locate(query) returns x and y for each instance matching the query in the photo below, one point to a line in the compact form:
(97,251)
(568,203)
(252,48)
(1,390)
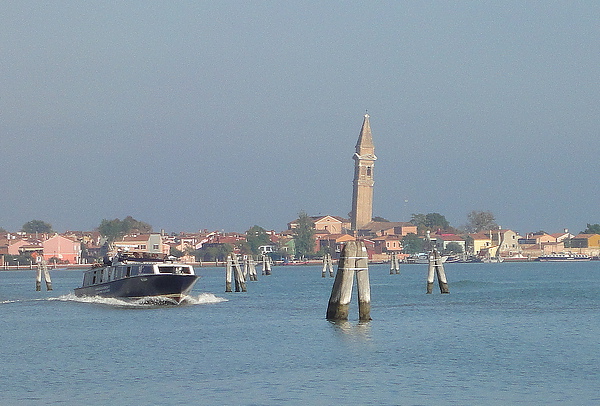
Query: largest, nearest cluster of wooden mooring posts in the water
(353,261)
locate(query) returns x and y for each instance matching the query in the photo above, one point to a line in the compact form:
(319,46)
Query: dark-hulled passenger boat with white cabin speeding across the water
(138,277)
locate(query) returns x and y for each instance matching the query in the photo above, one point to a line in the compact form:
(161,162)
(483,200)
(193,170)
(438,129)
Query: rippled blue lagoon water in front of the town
(506,334)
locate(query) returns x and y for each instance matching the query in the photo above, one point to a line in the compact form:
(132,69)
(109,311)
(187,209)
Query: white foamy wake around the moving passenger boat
(145,302)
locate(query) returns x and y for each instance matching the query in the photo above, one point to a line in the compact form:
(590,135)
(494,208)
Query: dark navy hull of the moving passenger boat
(167,285)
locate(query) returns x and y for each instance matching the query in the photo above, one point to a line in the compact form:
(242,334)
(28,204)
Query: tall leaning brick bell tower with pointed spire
(362,192)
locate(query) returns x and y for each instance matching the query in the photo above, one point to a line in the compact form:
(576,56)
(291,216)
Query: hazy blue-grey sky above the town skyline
(195,115)
